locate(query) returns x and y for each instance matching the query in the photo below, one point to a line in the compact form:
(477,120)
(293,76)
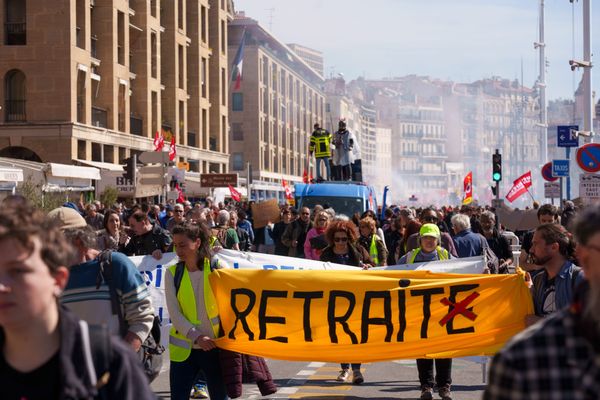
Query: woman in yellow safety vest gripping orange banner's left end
(193,310)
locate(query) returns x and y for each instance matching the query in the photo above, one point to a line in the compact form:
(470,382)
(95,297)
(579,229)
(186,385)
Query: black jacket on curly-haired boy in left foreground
(126,379)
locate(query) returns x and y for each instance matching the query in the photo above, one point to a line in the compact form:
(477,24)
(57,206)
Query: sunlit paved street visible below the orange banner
(385,380)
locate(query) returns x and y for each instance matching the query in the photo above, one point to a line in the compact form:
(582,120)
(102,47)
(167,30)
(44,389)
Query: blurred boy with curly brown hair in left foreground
(45,349)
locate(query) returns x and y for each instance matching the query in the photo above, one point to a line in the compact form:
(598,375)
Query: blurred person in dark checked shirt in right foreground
(558,358)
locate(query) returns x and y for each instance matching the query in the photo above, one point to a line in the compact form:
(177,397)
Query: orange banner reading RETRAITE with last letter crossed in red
(368,315)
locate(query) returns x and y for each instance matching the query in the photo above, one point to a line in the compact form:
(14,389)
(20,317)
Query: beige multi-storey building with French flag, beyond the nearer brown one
(273,111)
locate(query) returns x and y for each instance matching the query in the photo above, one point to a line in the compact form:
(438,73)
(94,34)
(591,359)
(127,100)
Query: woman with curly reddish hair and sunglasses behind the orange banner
(343,248)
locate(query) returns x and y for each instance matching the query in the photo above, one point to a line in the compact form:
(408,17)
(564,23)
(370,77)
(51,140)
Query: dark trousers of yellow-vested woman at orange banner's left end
(184,374)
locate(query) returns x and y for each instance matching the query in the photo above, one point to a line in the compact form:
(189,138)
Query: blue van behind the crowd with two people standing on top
(345,198)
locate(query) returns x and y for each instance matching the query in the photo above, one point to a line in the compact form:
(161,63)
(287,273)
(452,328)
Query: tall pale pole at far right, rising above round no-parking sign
(587,70)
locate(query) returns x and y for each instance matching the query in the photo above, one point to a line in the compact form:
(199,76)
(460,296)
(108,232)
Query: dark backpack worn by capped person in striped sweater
(151,352)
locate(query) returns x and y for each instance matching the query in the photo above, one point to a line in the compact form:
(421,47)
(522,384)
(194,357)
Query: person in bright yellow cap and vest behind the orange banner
(430,250)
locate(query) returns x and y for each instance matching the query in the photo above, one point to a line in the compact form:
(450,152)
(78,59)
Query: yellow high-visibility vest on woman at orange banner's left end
(180,347)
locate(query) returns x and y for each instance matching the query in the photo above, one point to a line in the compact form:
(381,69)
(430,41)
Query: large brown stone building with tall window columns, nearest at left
(91,81)
